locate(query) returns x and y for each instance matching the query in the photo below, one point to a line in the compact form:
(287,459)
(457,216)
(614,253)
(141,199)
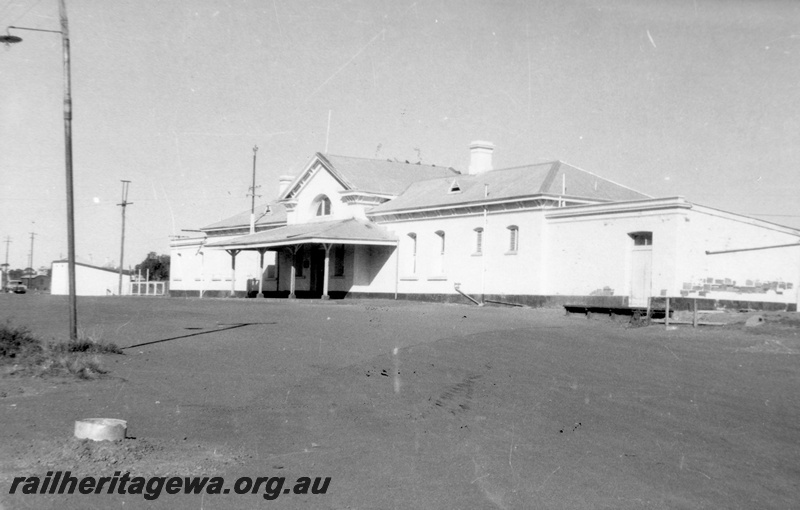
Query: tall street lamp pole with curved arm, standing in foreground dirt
(12,39)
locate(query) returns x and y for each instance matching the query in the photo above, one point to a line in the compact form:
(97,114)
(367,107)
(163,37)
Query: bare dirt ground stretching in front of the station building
(414,405)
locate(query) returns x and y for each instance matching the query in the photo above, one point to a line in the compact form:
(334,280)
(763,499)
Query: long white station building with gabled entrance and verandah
(541,235)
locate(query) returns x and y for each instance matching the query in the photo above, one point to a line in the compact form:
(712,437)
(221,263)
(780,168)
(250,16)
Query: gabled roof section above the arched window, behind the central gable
(378,176)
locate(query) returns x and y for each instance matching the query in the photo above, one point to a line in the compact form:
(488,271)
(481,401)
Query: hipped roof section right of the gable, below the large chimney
(510,183)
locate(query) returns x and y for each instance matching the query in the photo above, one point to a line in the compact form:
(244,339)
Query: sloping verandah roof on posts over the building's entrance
(349,231)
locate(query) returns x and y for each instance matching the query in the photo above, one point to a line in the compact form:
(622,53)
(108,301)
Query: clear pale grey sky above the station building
(697,98)
